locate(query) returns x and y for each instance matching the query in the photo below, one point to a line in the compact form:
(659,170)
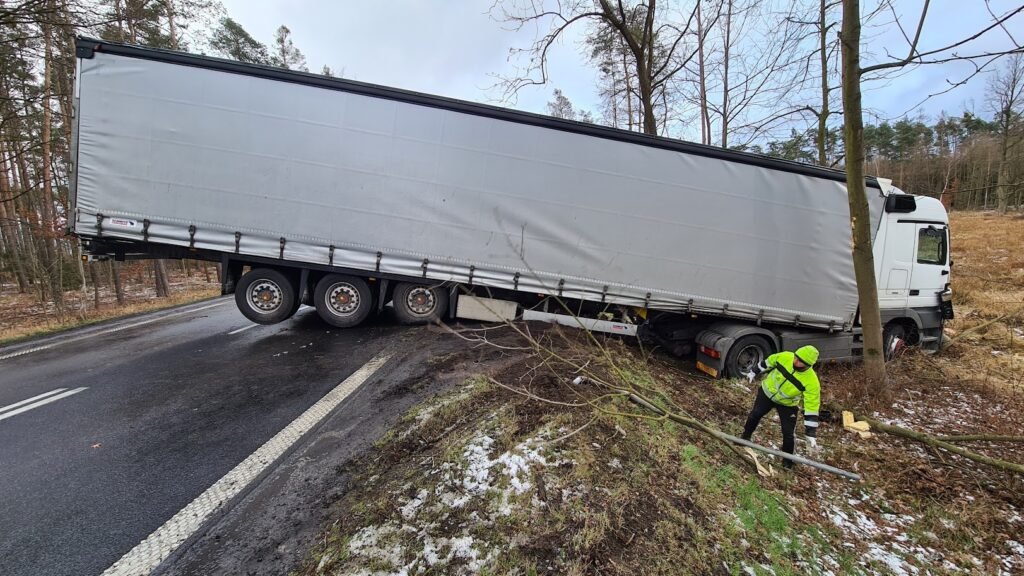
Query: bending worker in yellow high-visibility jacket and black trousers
(790,379)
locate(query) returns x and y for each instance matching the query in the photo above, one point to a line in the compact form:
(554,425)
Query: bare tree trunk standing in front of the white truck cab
(864,261)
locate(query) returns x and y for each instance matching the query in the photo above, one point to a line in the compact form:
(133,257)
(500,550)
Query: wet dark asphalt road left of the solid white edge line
(172,403)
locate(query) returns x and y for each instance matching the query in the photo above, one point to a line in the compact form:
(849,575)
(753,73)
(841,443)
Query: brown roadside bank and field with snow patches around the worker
(520,471)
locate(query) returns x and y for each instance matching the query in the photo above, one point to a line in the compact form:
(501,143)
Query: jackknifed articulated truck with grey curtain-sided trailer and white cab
(351,197)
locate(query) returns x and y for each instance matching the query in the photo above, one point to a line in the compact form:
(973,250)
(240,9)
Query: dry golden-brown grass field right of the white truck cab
(988,337)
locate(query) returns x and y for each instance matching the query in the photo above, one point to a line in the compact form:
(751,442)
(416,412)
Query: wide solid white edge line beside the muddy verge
(158,547)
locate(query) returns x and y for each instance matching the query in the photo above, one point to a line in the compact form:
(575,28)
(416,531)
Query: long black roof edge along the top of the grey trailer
(87,48)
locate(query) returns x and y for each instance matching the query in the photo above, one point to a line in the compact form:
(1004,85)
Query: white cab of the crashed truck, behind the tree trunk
(913,268)
